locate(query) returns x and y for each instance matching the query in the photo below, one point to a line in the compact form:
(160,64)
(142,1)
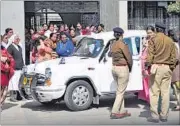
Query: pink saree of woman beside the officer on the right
(144,94)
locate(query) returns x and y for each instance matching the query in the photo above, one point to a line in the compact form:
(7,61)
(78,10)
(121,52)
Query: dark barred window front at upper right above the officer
(143,13)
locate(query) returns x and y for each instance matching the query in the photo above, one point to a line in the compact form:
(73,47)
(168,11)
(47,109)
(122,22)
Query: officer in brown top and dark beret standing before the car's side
(122,64)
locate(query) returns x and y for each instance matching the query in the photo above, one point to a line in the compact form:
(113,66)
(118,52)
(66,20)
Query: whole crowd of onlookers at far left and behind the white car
(49,42)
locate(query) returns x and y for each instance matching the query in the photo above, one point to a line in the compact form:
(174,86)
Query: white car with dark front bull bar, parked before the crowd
(83,77)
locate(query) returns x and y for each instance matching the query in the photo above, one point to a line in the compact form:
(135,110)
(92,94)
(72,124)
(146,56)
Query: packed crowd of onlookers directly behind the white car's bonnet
(51,42)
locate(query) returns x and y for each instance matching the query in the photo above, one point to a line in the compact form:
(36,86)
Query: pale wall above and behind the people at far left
(12,15)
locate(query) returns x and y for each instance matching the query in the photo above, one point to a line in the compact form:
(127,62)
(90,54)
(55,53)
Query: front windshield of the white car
(89,47)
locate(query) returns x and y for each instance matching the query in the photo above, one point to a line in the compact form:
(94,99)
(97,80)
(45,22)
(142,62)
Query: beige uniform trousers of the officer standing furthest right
(160,85)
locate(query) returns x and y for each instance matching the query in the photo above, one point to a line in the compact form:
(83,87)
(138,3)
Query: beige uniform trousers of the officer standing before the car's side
(121,76)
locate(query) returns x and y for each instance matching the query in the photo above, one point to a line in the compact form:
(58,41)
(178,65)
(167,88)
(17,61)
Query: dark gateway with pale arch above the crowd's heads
(69,12)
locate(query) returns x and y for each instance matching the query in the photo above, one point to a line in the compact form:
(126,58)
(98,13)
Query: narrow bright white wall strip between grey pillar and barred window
(123,14)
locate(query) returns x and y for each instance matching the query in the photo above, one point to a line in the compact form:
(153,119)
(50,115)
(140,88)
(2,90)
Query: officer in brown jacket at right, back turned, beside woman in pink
(161,59)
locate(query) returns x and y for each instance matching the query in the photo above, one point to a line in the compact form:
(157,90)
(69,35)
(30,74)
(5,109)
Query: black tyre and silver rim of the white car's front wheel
(79,95)
